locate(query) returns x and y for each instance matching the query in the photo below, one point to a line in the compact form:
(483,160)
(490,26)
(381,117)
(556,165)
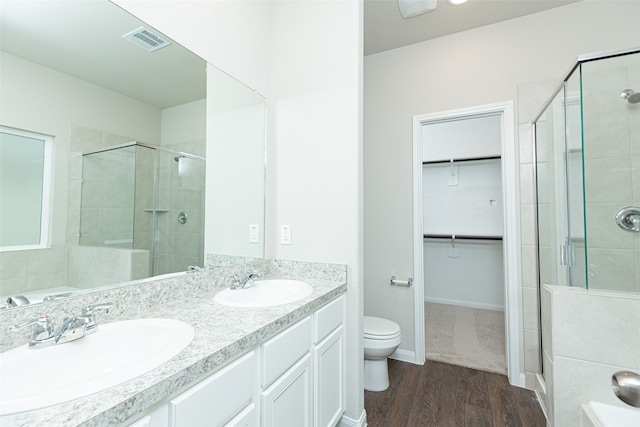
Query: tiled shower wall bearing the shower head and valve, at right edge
(612,171)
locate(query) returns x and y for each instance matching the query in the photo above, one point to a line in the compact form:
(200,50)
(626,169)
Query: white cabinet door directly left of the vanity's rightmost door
(287,403)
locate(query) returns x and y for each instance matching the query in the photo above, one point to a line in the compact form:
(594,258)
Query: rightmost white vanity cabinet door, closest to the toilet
(329,397)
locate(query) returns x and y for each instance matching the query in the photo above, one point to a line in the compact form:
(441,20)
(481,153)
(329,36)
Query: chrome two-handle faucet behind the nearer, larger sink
(72,328)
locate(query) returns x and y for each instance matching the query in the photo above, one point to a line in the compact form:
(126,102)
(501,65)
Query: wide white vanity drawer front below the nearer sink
(217,399)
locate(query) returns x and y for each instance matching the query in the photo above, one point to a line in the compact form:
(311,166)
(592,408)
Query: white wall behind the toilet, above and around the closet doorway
(475,67)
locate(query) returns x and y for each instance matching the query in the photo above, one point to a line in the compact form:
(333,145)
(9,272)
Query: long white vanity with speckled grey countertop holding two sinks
(271,366)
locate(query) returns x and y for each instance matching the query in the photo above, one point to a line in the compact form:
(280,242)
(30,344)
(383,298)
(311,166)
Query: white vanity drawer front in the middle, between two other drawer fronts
(284,350)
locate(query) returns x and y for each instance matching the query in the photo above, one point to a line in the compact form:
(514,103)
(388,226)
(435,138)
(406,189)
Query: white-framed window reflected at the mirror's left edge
(25,189)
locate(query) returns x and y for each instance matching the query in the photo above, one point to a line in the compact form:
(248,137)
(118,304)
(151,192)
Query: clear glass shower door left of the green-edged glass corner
(560,191)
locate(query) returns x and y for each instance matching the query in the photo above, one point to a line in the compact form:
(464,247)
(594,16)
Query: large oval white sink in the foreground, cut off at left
(117,352)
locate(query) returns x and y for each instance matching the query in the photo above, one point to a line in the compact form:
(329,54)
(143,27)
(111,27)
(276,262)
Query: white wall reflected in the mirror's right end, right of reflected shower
(235,153)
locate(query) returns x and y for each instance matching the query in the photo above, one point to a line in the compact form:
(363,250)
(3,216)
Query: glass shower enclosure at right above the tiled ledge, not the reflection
(587,143)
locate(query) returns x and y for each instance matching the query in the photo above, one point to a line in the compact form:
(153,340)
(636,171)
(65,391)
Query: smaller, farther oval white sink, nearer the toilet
(265,293)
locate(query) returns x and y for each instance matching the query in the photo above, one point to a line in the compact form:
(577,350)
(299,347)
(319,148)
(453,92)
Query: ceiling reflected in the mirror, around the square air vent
(84,39)
